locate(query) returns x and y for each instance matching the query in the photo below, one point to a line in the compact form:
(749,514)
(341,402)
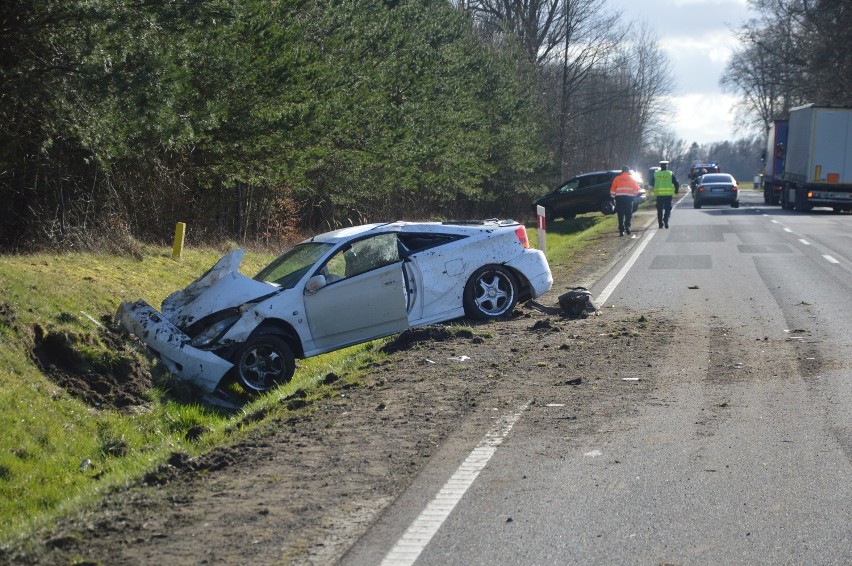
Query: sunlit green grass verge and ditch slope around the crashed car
(60,452)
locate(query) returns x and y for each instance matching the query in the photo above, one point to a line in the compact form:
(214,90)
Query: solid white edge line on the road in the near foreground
(411,544)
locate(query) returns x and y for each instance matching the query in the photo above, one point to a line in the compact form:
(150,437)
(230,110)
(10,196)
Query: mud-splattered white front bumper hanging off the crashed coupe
(204,369)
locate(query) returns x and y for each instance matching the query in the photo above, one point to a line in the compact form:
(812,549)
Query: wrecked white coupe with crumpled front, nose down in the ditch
(335,290)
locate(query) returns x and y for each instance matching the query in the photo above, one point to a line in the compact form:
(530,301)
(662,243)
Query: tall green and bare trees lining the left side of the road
(261,120)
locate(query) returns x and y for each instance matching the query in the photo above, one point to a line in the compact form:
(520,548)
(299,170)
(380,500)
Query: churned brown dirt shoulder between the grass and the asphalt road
(303,489)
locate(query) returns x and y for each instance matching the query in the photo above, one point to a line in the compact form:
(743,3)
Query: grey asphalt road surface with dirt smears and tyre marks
(742,454)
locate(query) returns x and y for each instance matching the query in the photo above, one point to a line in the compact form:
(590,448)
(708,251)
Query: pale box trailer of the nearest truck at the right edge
(817,168)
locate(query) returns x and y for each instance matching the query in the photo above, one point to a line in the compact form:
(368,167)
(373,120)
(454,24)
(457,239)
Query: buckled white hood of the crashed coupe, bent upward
(220,288)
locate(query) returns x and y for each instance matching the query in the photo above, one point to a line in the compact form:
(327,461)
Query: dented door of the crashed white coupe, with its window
(364,296)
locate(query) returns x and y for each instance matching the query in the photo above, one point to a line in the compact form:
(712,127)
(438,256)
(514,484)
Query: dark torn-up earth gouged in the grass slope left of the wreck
(77,363)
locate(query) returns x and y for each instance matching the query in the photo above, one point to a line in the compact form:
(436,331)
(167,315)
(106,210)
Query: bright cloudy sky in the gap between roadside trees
(697,37)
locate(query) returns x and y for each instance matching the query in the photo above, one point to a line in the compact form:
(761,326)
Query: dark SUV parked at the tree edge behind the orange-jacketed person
(588,192)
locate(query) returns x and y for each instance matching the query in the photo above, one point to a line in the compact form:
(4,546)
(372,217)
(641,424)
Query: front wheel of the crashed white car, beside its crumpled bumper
(264,362)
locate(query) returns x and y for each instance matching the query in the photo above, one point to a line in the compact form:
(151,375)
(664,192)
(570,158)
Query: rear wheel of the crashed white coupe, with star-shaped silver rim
(490,293)
